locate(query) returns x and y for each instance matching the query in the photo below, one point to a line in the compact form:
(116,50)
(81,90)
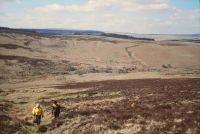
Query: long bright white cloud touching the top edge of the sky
(97,5)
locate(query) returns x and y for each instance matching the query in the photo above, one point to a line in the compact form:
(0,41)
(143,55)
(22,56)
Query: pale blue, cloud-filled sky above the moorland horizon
(132,16)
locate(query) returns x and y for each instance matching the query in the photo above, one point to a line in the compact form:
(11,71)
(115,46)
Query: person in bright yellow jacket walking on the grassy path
(37,113)
